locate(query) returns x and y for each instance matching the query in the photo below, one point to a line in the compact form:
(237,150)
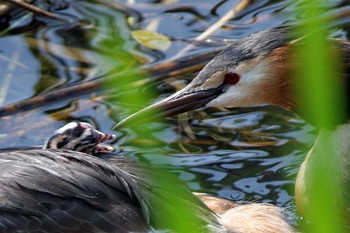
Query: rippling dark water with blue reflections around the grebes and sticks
(246,154)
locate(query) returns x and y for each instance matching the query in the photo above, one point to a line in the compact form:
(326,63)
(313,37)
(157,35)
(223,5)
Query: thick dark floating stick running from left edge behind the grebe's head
(157,72)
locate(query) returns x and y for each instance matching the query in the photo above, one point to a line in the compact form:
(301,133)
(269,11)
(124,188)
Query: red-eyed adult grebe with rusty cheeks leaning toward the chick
(259,70)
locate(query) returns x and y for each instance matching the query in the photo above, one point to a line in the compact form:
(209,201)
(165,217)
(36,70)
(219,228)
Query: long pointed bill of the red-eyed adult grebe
(180,102)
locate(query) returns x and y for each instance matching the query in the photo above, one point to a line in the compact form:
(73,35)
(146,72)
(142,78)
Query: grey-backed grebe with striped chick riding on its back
(60,189)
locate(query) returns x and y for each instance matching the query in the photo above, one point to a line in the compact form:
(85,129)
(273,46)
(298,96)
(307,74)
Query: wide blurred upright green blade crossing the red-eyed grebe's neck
(321,96)
